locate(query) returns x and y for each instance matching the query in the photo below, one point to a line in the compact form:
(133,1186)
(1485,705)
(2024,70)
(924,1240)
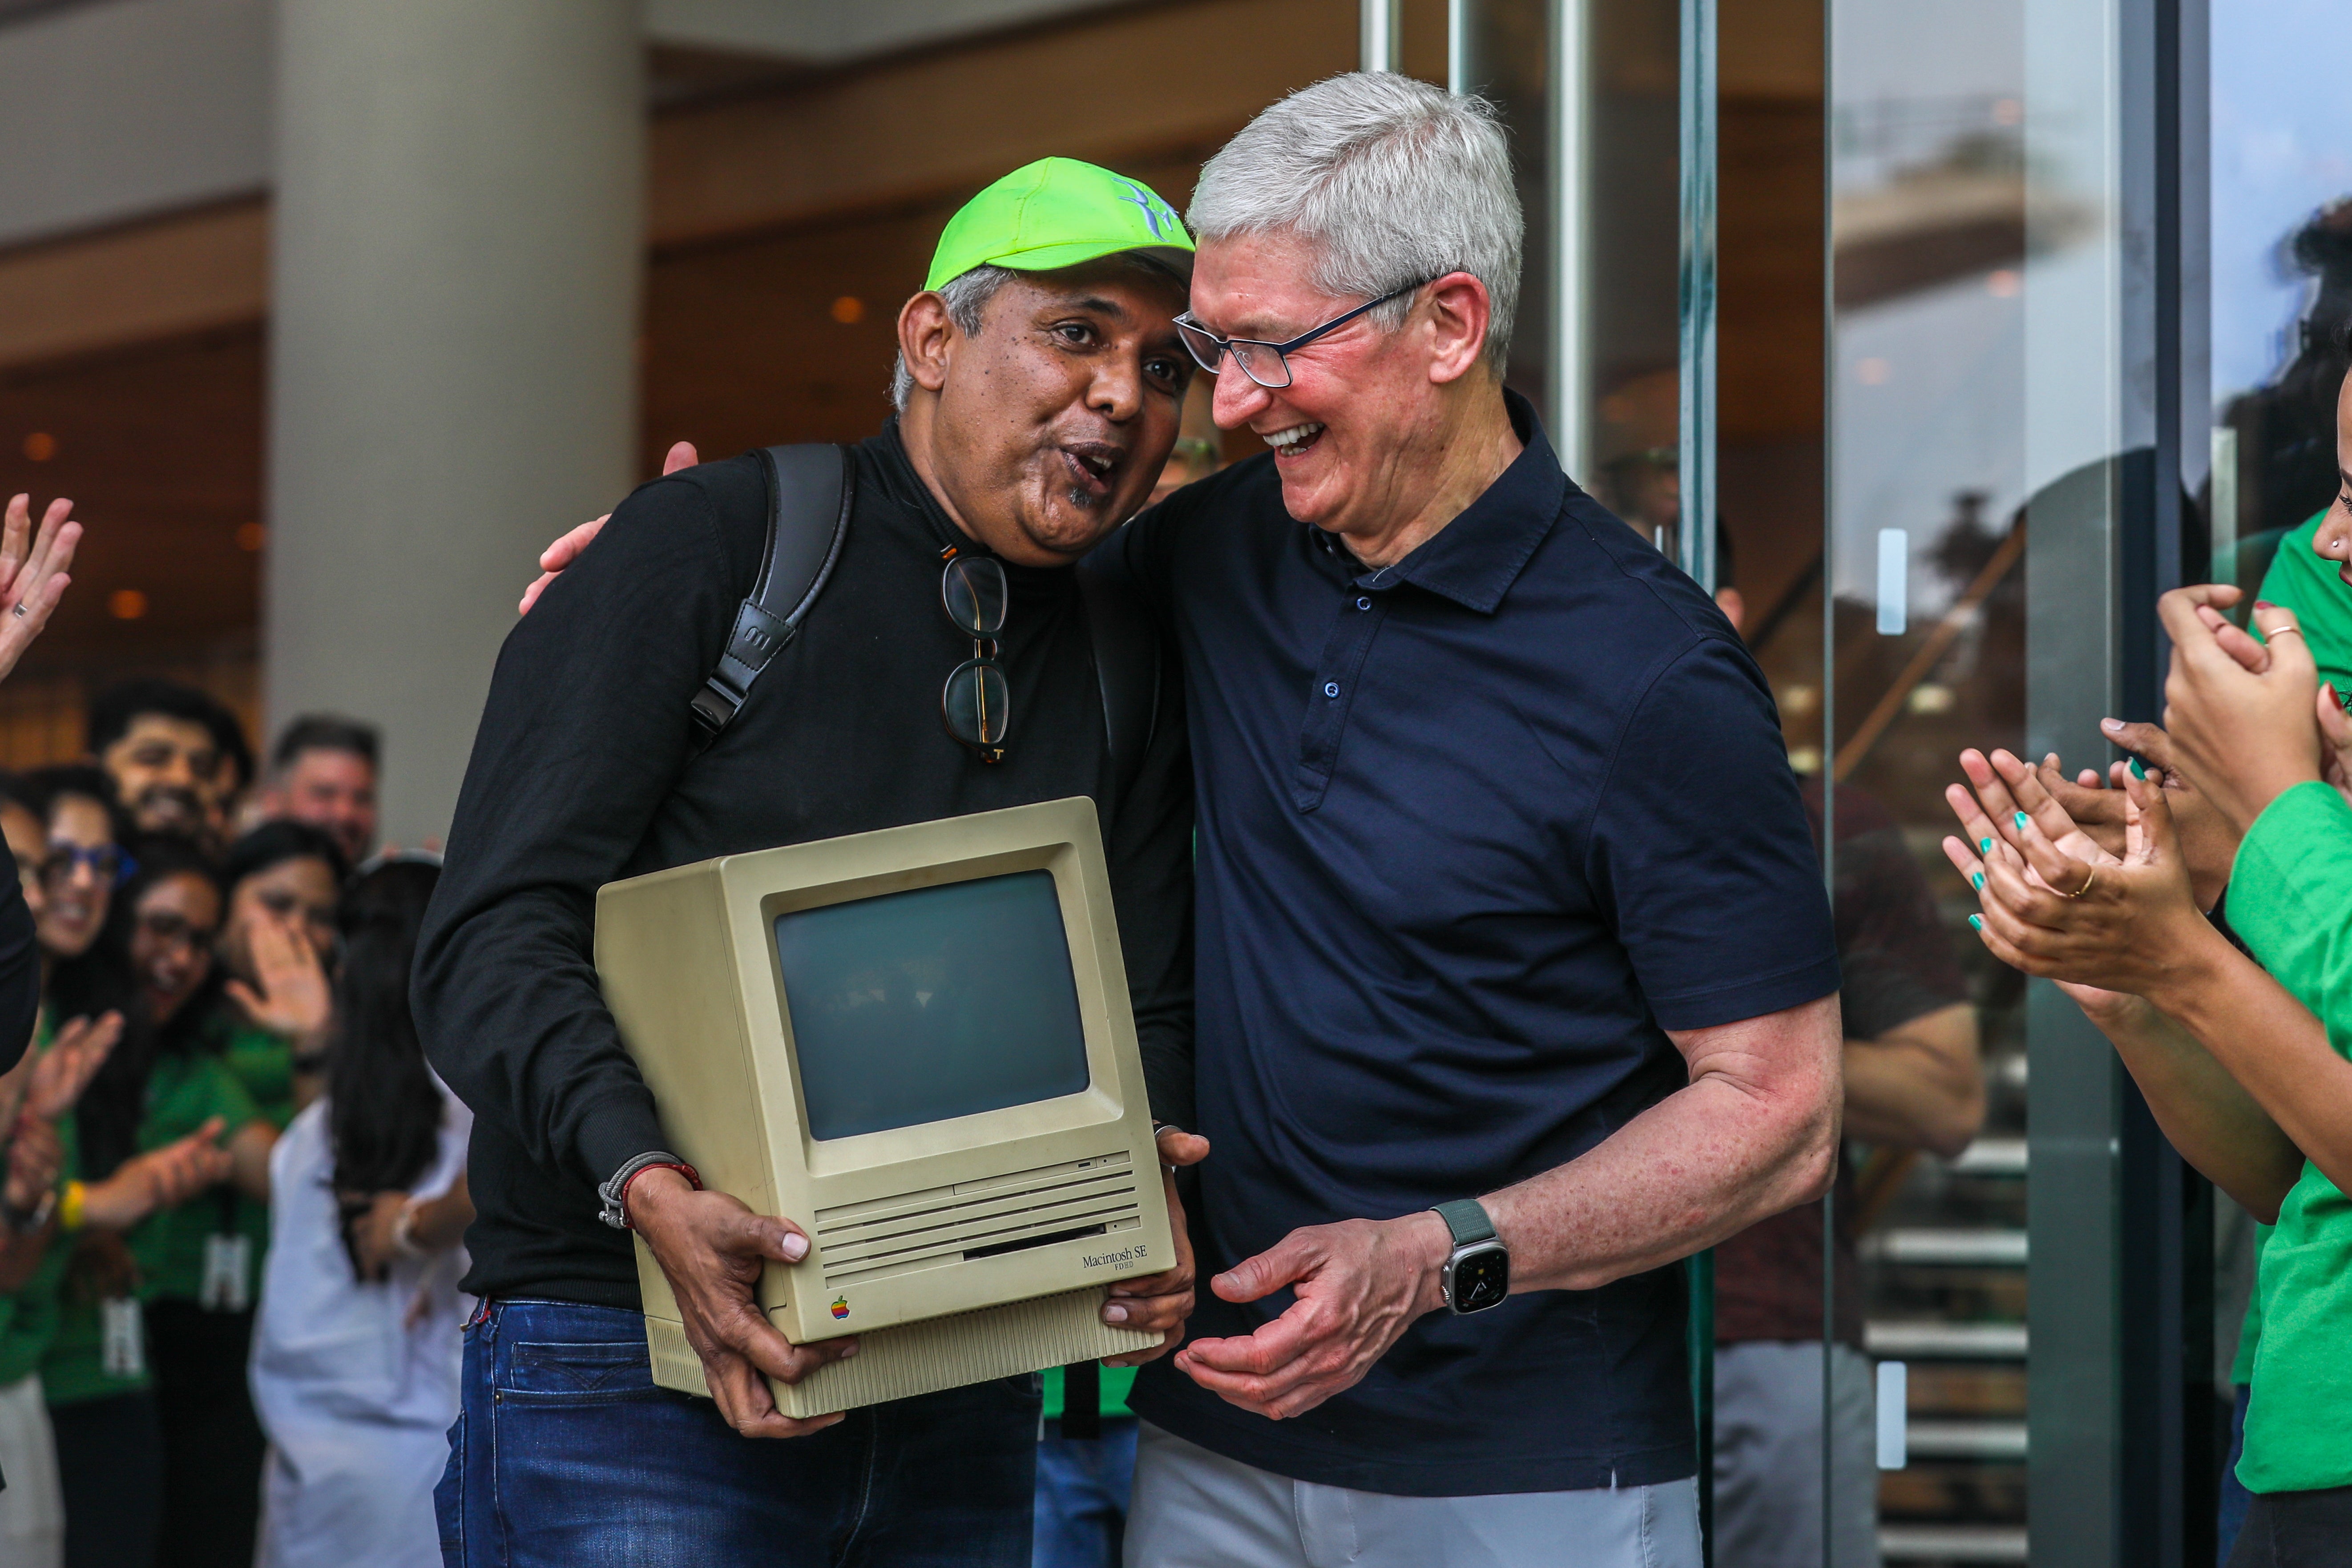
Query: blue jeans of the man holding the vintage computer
(566,1454)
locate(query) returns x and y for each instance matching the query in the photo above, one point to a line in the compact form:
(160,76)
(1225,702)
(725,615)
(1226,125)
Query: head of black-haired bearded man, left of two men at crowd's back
(175,753)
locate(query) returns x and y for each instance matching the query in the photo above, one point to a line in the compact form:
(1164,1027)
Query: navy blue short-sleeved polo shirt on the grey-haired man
(1476,831)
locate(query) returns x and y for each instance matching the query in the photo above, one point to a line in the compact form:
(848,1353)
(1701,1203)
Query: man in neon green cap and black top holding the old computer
(1038,391)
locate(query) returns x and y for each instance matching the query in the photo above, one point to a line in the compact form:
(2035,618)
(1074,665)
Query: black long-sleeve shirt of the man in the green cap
(582,775)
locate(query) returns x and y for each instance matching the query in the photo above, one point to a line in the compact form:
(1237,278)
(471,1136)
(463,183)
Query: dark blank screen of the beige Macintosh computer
(935,1003)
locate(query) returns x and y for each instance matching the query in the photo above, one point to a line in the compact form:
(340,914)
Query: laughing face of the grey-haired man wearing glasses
(1370,413)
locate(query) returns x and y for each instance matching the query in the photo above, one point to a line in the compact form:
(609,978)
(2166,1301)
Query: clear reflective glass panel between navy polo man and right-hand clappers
(1927,652)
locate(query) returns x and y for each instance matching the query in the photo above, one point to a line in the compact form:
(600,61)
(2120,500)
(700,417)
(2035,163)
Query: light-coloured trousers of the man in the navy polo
(1203,1510)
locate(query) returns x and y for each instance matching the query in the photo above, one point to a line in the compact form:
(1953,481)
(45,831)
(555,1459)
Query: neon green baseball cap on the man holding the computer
(1060,213)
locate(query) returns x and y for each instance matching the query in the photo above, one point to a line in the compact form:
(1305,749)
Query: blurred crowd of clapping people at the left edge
(234,1188)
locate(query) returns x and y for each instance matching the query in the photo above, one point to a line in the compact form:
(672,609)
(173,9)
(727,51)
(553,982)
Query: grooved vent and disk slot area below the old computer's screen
(940,1226)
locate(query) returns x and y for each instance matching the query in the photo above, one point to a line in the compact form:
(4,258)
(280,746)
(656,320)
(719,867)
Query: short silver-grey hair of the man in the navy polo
(1389,180)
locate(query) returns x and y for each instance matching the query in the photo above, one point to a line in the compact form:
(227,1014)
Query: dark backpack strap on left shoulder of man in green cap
(810,492)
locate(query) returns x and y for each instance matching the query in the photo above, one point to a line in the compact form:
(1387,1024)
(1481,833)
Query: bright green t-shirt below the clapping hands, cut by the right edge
(2292,904)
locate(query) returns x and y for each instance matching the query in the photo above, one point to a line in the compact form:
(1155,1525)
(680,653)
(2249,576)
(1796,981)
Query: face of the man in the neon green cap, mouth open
(1045,431)
